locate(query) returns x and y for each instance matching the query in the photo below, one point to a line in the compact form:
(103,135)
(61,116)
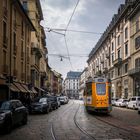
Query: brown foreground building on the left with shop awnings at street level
(15,40)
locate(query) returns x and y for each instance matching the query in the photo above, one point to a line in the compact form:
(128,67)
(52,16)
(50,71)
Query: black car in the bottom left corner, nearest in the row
(12,112)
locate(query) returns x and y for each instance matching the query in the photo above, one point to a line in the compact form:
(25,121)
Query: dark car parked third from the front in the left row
(53,101)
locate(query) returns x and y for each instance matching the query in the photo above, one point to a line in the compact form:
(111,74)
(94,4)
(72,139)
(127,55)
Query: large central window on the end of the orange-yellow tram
(101,89)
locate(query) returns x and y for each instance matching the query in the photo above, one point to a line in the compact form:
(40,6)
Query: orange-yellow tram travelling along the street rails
(97,95)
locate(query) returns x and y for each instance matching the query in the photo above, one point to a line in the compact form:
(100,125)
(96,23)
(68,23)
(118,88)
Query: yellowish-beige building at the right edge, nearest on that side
(134,70)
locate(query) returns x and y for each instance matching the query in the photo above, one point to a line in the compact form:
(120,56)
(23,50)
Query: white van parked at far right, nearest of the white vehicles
(134,102)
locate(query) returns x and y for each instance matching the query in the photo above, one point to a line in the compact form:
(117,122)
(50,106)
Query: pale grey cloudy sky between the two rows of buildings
(90,15)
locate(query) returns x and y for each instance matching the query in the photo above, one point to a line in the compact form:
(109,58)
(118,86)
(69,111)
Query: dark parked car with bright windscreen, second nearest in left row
(41,105)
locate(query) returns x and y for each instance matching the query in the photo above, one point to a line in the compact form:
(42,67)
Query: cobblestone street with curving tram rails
(72,122)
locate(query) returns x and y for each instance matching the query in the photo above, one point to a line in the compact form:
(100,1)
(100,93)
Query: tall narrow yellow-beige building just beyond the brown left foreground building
(38,45)
